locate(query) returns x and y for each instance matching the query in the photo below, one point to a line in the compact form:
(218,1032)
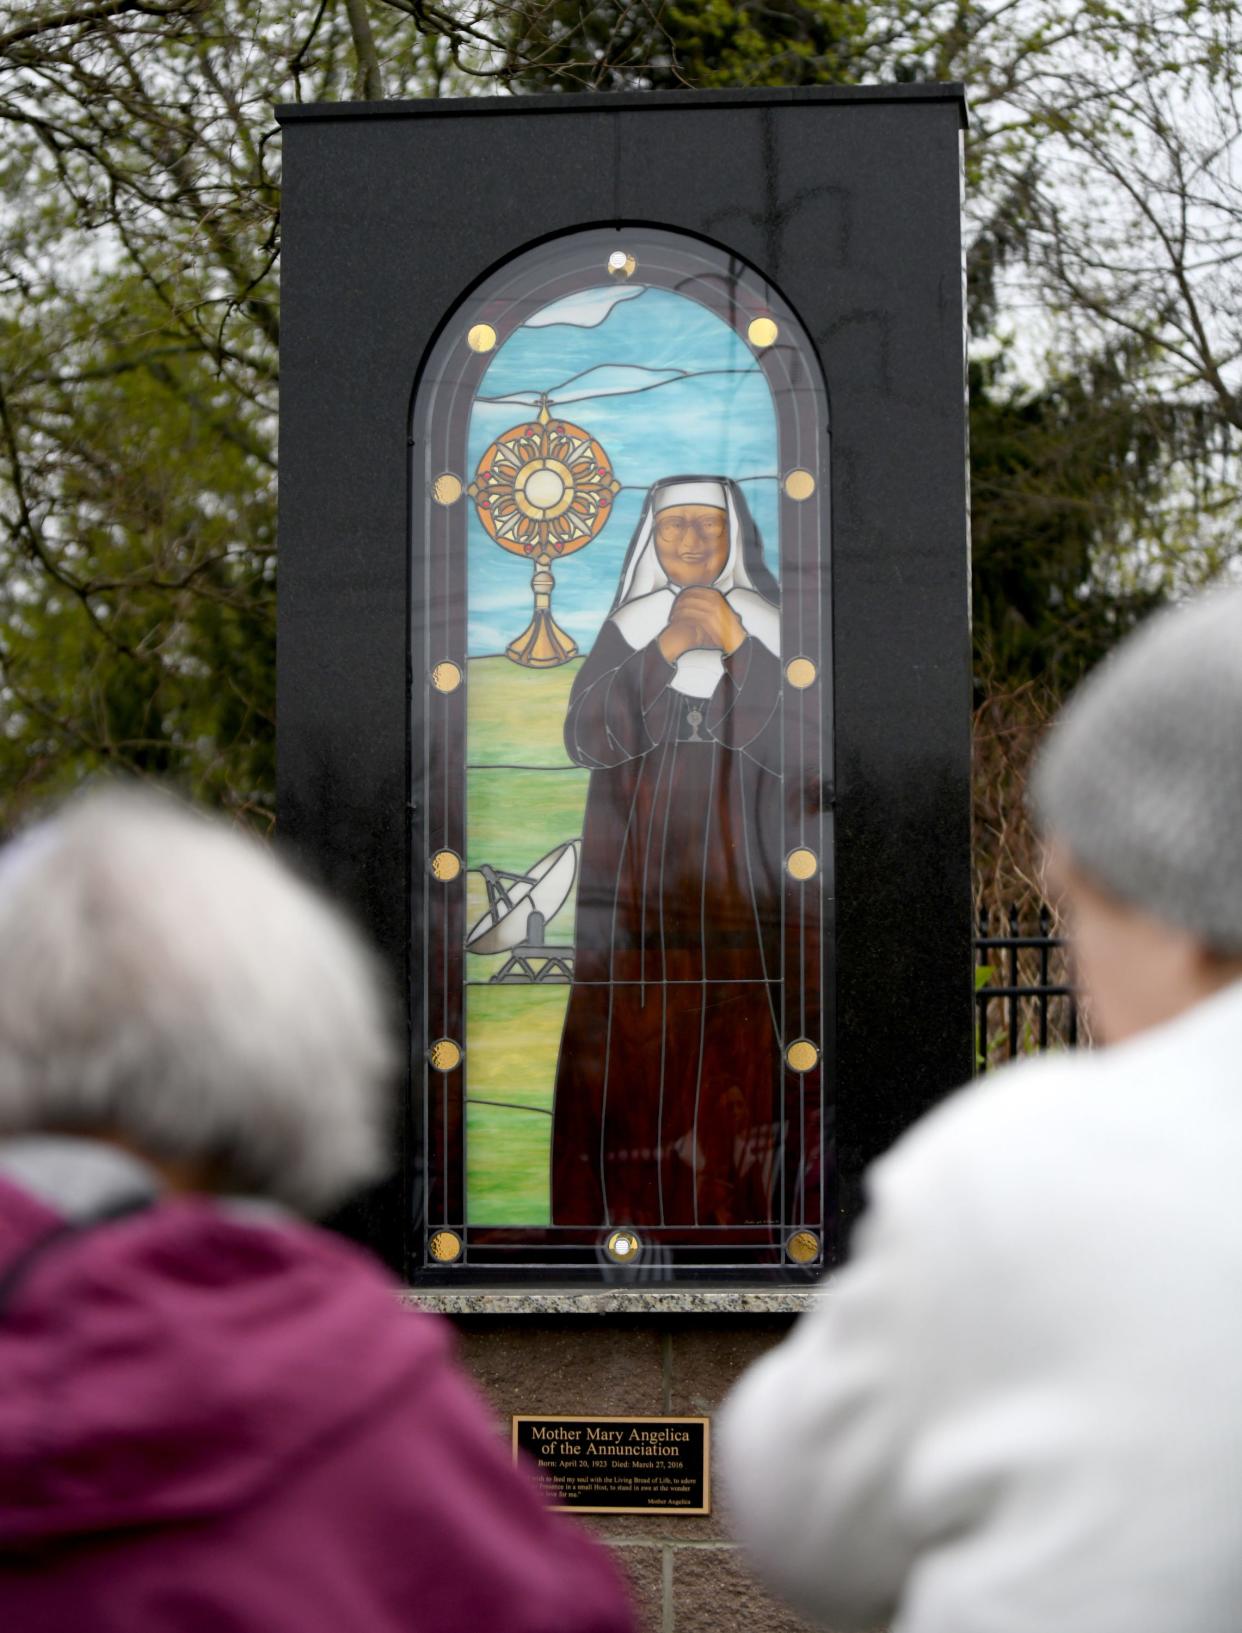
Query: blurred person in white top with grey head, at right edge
(1018,1408)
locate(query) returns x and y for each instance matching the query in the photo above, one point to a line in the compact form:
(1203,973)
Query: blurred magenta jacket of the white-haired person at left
(216,1423)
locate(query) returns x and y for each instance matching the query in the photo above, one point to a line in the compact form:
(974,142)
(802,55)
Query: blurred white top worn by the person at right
(1019,1408)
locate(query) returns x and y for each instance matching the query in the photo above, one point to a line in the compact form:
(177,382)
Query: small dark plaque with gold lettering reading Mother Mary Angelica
(621,1466)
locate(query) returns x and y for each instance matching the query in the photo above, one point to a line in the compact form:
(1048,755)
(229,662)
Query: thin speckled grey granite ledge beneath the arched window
(614,1301)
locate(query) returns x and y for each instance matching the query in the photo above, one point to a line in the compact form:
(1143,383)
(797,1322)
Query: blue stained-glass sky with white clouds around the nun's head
(707,411)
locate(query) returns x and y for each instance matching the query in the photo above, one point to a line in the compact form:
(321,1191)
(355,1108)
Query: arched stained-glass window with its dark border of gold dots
(623,741)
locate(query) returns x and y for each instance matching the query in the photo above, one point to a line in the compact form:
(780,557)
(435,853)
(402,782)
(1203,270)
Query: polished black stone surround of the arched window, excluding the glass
(849,203)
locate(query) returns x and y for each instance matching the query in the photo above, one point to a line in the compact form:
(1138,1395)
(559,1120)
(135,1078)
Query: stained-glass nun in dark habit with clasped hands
(670,1066)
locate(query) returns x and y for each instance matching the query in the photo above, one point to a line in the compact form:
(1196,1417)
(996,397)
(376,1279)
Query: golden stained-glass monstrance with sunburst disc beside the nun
(544,489)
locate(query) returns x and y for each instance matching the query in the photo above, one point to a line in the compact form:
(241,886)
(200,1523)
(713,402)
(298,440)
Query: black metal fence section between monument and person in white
(1022,997)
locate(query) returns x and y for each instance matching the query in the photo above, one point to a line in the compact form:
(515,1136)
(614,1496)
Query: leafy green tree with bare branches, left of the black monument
(140,336)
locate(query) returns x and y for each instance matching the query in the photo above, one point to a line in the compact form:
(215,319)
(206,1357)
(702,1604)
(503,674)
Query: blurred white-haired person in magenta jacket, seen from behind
(211,1413)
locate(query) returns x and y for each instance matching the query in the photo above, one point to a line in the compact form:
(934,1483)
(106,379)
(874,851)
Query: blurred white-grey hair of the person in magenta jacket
(166,984)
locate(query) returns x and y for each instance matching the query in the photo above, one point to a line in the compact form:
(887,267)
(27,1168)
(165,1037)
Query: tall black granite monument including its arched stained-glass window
(624,656)
